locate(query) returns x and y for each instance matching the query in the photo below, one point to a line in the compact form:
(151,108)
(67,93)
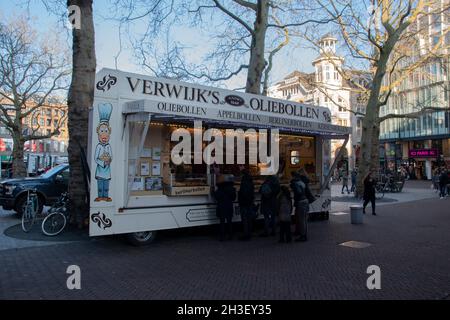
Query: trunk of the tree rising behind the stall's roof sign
(257,60)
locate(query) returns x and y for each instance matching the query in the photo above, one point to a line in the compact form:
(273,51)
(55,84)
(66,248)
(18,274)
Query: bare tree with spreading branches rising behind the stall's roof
(244,36)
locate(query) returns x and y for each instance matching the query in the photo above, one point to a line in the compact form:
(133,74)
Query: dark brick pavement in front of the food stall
(410,244)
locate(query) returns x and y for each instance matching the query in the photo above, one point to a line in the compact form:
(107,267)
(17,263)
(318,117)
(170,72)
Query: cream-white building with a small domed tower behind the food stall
(334,87)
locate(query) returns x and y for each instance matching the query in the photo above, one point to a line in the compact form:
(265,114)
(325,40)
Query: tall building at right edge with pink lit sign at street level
(422,143)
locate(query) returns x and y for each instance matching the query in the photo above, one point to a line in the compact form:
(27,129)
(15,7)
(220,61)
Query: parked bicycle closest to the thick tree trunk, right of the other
(56,219)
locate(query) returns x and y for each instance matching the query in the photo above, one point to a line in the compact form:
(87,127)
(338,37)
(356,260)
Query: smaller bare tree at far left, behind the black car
(32,72)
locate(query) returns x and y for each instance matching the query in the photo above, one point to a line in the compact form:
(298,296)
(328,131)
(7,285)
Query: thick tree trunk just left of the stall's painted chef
(80,100)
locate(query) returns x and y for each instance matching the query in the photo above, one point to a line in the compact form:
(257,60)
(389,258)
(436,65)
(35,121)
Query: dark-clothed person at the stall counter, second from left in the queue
(246,198)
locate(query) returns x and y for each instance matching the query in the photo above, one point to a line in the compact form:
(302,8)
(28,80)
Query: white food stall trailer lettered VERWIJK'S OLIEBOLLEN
(136,122)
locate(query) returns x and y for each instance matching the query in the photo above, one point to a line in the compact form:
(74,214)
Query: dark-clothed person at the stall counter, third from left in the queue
(269,191)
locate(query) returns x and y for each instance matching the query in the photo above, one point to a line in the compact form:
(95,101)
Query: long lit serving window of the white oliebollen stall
(151,171)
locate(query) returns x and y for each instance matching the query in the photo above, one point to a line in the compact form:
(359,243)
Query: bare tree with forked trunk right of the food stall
(386,36)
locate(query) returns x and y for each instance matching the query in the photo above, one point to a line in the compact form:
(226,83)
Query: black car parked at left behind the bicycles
(49,186)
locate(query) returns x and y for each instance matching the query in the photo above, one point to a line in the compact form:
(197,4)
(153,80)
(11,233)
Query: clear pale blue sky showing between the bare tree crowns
(107,41)
